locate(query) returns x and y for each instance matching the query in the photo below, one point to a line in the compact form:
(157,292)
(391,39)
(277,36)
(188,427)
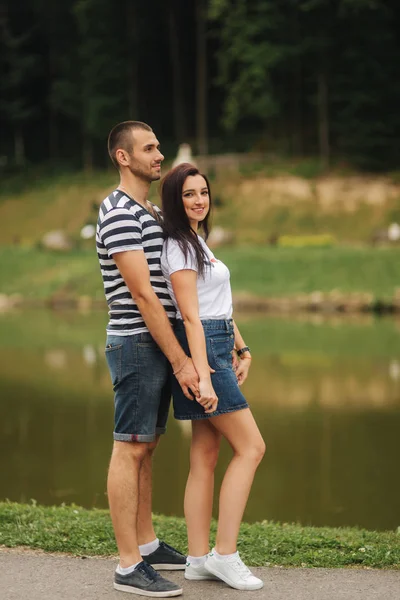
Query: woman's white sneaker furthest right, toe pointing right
(234,572)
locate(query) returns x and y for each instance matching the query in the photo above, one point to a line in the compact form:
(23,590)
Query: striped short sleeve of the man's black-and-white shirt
(121,231)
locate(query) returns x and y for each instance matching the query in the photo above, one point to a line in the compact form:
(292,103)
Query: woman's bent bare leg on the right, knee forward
(242,433)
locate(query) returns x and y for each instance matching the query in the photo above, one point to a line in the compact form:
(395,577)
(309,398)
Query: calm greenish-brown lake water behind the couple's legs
(325,393)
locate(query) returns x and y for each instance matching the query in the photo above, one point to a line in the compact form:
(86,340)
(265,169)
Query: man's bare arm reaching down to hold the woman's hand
(135,271)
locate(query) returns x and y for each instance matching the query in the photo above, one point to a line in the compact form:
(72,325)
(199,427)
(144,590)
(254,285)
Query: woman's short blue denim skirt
(219,335)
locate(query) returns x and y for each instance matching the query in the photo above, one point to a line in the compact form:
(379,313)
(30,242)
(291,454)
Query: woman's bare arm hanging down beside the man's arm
(184,284)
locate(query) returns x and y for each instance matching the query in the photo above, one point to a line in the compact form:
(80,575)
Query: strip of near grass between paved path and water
(89,532)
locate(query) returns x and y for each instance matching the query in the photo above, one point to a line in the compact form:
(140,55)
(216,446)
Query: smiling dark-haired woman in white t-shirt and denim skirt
(200,289)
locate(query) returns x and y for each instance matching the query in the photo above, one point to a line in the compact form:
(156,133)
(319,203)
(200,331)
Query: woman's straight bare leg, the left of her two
(200,485)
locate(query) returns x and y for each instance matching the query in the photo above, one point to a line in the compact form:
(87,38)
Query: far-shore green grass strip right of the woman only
(290,271)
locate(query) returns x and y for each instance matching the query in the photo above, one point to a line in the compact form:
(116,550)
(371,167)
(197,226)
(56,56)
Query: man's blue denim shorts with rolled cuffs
(141,377)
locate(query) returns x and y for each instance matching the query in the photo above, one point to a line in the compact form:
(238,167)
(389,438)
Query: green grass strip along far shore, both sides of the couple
(263,271)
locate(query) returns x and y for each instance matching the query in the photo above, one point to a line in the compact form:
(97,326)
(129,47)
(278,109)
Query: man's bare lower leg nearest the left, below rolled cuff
(123,497)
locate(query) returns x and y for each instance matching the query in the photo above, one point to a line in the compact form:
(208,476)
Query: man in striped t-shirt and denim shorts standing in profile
(141,349)
